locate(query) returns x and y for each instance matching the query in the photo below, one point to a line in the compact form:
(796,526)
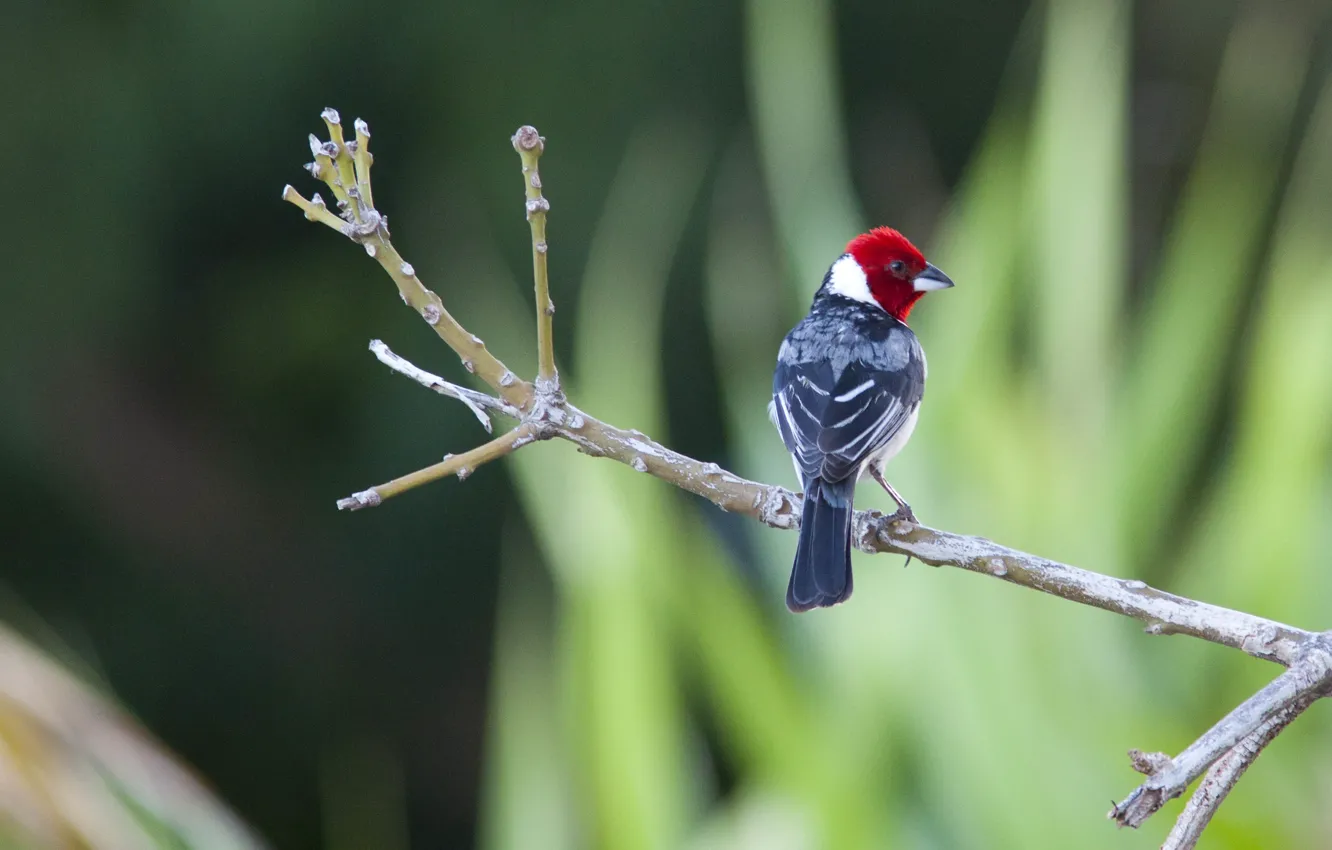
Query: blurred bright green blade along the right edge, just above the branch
(1259,538)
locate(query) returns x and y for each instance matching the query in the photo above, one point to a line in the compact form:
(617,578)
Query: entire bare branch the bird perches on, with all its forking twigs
(543,412)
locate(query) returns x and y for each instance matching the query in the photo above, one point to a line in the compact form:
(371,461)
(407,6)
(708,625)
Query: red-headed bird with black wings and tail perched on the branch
(846,394)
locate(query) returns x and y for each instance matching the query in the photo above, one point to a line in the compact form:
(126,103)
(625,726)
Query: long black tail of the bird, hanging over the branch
(823,574)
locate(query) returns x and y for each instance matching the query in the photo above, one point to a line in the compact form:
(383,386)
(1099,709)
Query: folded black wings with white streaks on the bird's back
(832,420)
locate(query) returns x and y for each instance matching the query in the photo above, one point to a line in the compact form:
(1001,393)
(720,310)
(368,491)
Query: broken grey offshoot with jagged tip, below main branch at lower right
(1307,680)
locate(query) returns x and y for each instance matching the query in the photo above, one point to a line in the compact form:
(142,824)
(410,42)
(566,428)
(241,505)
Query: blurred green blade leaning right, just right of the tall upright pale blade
(1177,371)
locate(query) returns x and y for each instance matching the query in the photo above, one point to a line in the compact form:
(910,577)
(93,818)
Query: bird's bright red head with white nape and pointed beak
(888,271)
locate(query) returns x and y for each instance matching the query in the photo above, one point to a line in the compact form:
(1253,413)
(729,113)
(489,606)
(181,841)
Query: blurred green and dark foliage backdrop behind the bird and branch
(1133,375)
